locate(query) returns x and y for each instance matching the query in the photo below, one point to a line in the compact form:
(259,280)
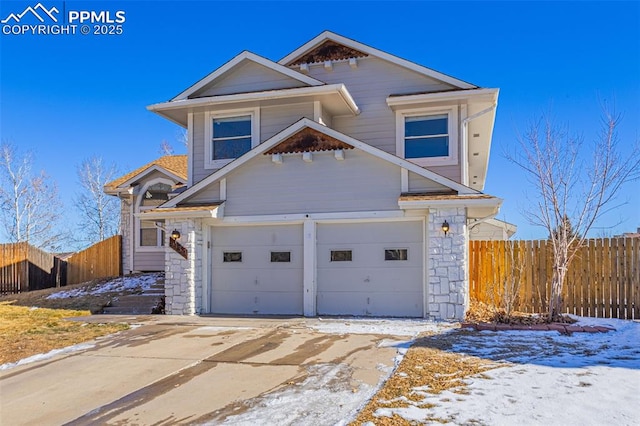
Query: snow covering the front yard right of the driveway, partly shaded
(545,378)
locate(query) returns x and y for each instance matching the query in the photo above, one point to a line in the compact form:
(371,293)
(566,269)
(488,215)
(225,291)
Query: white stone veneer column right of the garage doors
(448,292)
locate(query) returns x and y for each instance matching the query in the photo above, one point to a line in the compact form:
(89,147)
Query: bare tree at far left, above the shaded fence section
(29,204)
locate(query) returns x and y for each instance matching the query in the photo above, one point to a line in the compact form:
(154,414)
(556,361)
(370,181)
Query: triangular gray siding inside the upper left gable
(249,77)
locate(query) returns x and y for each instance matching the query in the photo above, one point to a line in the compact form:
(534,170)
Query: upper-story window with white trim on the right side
(427,137)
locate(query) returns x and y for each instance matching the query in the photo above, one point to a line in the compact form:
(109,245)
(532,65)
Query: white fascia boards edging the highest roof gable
(328,35)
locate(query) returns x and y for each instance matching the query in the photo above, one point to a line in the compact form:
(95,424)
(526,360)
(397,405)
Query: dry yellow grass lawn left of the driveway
(26,331)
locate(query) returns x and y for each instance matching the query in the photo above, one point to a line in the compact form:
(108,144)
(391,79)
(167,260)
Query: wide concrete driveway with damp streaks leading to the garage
(193,370)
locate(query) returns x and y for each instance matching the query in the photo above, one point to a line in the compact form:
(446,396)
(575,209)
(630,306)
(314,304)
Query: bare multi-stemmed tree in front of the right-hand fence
(573,183)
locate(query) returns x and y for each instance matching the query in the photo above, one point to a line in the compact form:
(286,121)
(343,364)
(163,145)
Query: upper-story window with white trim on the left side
(229,135)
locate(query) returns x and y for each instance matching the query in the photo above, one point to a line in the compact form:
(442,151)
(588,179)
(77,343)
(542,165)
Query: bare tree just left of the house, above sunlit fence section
(99,212)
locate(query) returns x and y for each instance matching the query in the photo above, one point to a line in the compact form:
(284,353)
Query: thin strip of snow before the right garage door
(393,327)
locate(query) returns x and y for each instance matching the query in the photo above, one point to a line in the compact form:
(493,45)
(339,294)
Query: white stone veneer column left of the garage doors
(183,277)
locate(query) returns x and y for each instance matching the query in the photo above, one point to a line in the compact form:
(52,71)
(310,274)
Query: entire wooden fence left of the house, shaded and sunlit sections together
(25,268)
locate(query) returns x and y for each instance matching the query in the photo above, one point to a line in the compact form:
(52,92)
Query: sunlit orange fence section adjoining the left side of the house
(103,259)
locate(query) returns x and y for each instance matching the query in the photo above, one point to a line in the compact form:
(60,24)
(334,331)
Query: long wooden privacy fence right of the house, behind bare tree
(602,281)
